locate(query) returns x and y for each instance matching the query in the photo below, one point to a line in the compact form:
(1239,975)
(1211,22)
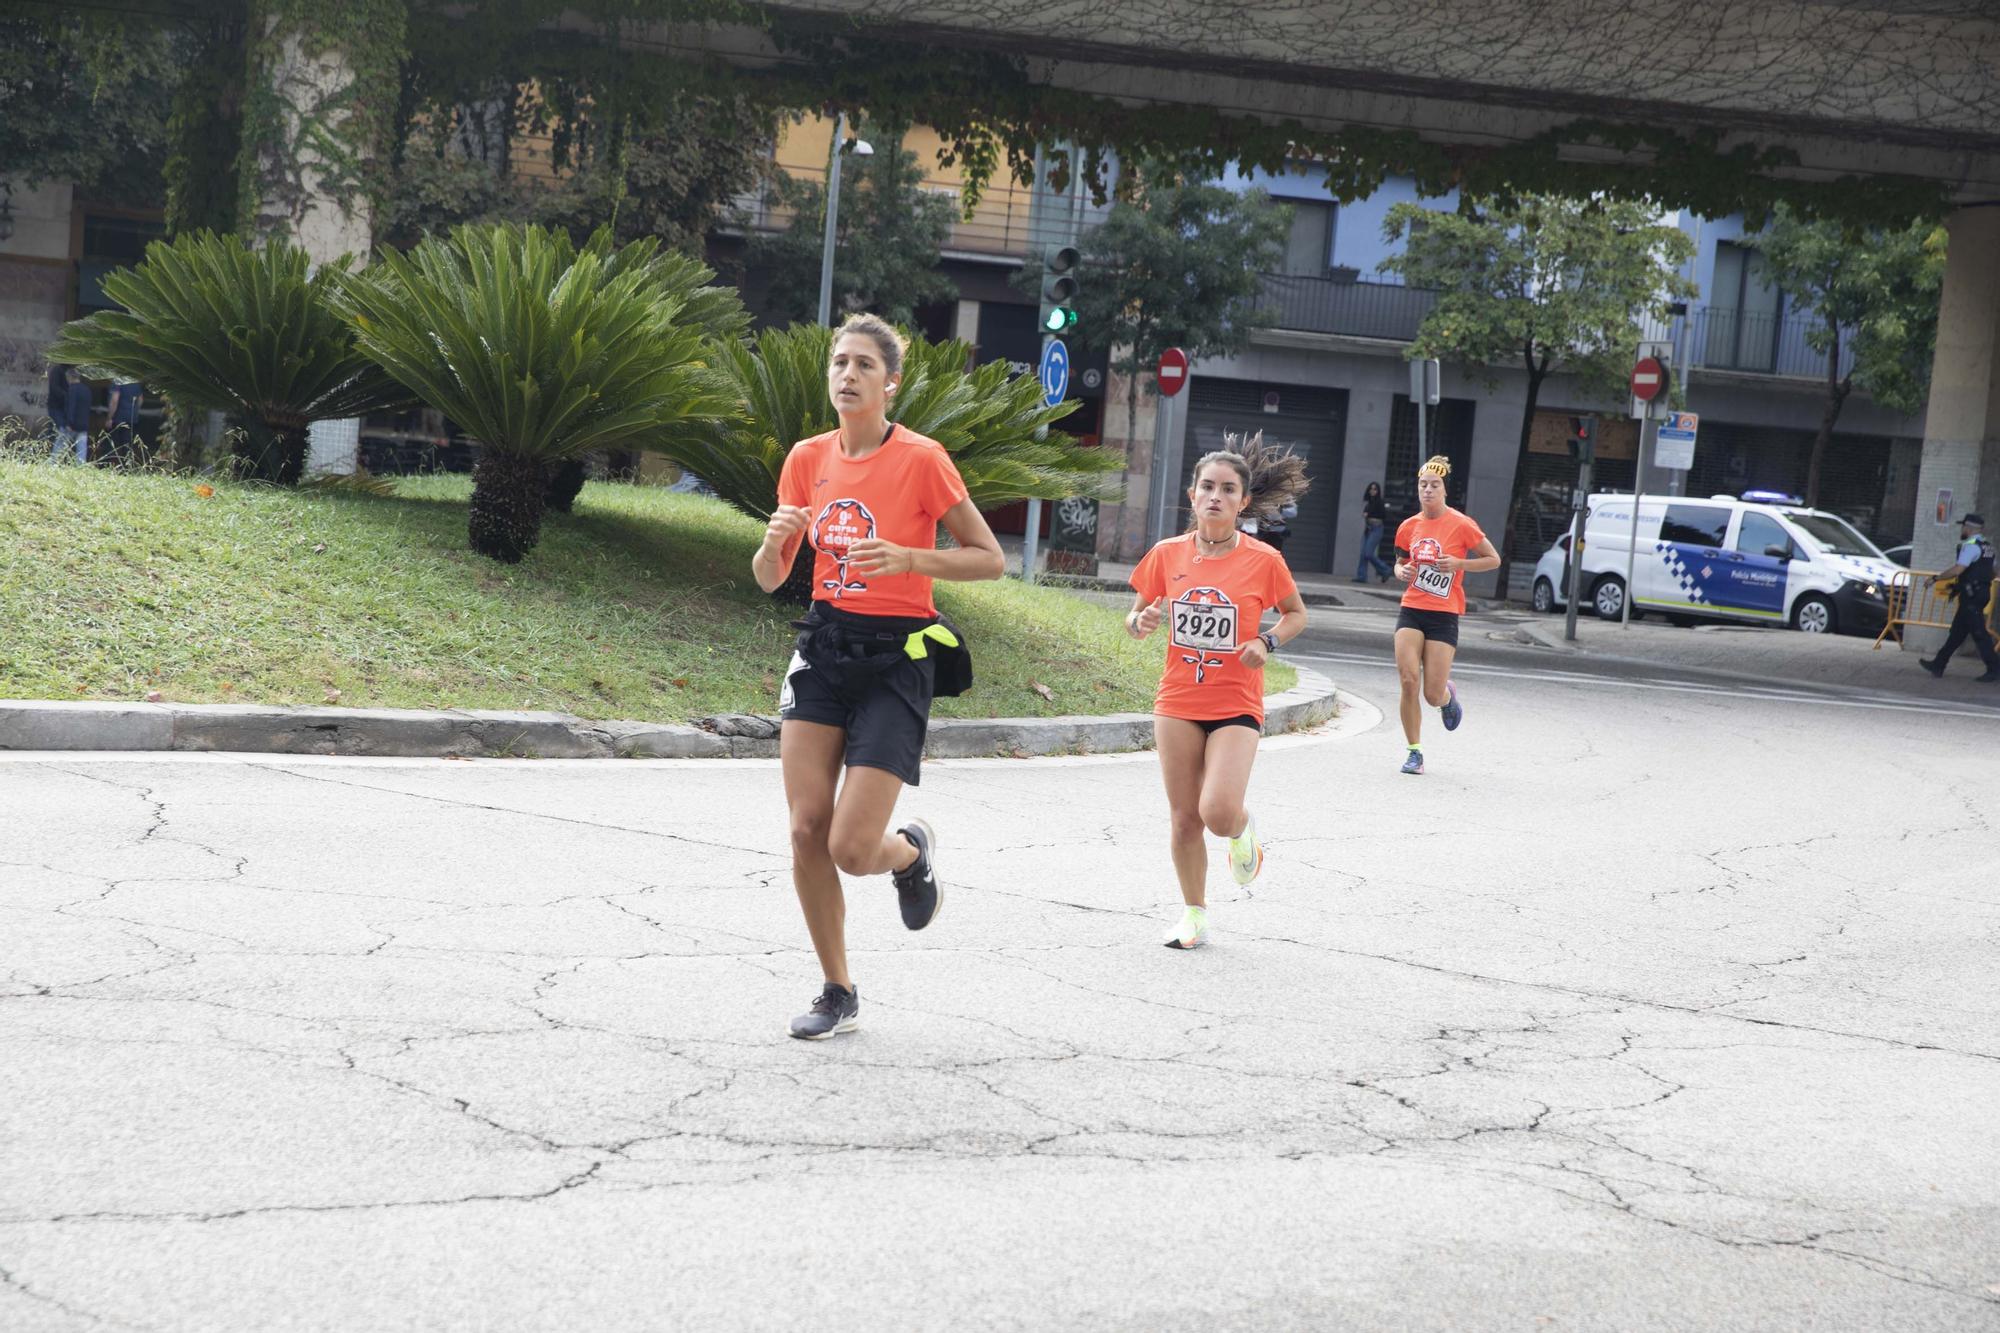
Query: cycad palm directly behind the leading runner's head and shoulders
(985,419)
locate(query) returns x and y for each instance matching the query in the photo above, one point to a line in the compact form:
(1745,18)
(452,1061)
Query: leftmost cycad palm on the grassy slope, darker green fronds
(211,323)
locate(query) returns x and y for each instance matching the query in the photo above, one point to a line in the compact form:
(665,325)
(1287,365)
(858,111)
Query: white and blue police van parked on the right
(1759,557)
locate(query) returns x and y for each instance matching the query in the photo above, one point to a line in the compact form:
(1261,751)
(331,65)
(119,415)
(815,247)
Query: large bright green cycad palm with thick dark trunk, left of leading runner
(541,351)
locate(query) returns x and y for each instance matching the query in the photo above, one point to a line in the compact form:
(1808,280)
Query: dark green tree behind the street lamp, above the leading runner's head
(887,243)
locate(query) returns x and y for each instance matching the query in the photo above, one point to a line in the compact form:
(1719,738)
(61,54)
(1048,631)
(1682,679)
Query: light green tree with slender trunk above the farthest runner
(1543,283)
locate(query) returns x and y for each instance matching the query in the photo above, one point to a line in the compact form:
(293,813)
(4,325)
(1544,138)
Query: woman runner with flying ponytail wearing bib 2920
(1211,587)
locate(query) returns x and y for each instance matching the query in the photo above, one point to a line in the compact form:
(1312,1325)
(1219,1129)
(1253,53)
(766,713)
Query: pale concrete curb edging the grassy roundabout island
(415,734)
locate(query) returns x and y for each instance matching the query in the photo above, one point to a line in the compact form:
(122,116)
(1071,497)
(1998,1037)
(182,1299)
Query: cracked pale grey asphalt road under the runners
(1639,1012)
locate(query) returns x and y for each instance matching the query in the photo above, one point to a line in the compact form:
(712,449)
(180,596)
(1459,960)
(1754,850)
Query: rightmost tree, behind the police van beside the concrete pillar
(1879,291)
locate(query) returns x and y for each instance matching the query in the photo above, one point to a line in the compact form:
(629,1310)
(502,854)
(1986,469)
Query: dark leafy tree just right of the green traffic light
(1179,263)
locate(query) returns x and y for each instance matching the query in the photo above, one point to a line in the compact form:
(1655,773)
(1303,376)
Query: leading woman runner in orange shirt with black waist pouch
(871,651)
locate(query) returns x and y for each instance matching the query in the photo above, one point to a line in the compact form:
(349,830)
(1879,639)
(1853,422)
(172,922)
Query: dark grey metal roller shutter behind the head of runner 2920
(1311,421)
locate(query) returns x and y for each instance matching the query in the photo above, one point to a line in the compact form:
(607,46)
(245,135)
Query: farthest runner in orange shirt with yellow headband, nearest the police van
(1437,547)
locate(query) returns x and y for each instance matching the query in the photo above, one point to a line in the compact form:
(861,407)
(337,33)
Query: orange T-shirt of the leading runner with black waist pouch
(899,493)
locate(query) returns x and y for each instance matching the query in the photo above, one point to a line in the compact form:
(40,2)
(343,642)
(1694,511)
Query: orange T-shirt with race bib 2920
(1213,605)
